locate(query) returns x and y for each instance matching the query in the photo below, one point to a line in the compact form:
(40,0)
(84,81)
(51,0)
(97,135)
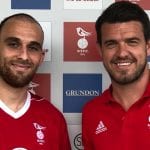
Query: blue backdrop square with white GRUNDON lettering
(78,89)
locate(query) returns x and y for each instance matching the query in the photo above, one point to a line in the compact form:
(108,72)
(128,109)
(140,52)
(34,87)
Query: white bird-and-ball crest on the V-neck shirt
(39,133)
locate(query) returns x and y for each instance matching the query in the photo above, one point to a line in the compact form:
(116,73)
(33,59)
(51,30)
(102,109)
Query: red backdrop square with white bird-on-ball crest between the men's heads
(80,42)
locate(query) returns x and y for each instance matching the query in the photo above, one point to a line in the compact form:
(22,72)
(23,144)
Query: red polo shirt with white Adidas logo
(107,126)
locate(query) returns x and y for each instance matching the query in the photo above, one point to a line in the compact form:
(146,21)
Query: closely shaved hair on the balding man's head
(20,16)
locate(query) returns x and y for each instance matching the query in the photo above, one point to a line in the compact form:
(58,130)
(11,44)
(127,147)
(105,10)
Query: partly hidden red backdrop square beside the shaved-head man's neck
(40,85)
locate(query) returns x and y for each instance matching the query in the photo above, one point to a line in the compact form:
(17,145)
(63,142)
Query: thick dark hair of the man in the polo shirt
(123,11)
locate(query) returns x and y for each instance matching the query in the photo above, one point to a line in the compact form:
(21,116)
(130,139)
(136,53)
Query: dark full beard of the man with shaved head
(18,79)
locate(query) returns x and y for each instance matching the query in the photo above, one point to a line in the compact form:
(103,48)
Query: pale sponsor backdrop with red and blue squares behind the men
(72,73)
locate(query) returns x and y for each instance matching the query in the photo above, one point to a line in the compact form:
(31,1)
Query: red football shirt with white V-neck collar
(36,126)
